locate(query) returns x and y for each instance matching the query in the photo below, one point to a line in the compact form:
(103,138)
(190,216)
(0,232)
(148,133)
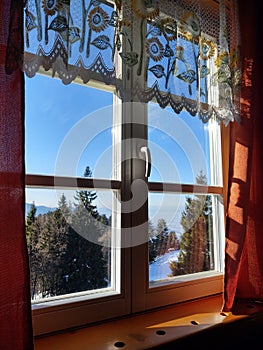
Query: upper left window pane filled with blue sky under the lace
(67,128)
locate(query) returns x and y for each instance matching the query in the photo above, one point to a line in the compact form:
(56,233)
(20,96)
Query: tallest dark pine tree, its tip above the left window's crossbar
(86,266)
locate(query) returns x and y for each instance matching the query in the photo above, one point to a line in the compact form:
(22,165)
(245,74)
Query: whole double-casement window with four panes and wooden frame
(124,199)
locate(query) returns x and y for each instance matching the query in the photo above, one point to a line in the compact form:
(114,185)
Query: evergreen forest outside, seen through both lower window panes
(63,261)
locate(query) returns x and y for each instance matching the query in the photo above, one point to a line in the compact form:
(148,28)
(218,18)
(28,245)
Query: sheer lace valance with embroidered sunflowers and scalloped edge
(179,53)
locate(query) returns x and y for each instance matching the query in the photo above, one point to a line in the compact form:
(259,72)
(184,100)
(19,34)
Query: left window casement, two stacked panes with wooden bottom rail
(72,205)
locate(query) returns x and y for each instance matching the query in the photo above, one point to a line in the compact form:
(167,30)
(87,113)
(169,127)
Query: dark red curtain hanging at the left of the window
(15,306)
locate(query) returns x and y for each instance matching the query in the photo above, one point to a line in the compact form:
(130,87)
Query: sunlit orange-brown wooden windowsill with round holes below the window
(148,330)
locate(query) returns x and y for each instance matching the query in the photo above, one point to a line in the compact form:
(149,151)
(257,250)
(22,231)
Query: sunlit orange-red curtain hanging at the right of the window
(244,236)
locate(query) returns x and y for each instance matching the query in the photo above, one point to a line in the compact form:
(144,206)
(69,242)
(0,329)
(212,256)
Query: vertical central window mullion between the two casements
(139,216)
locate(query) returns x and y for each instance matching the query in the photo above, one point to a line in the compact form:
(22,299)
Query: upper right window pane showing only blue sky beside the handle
(180,147)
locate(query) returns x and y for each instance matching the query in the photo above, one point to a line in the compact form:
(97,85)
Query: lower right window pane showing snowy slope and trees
(182,235)
